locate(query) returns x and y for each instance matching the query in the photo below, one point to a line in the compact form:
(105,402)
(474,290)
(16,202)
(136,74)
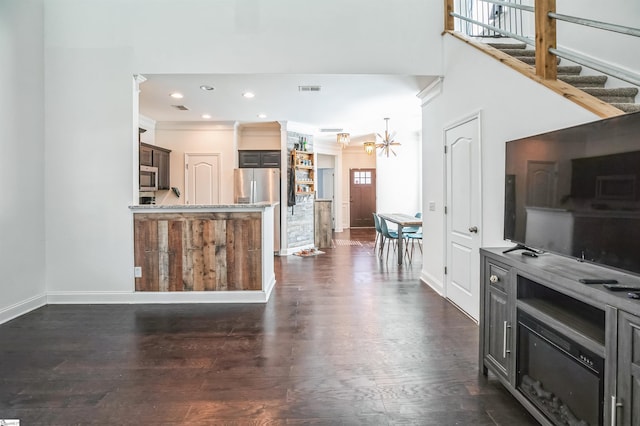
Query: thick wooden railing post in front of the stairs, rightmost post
(546,63)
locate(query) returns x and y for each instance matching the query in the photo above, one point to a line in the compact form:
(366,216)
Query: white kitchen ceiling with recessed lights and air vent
(357,103)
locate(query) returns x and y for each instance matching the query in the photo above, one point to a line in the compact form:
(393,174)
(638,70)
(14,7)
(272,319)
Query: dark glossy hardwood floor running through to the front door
(345,339)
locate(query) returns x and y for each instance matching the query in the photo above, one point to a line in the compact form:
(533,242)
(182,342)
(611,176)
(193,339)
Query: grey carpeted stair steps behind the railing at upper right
(622,98)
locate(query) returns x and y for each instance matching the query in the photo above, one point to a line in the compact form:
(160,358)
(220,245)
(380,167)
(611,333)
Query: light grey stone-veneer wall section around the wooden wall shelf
(300,226)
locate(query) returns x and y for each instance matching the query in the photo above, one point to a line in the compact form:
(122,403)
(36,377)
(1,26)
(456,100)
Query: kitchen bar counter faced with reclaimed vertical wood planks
(198,253)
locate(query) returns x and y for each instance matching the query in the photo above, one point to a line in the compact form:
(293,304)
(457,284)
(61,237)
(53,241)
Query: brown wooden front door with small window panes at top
(363,197)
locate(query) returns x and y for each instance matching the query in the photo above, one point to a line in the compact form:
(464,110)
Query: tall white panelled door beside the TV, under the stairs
(463,238)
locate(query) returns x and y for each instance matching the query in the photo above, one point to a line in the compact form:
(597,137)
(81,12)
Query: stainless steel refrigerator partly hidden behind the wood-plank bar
(256,185)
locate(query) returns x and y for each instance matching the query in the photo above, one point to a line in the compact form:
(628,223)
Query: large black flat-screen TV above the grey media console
(576,192)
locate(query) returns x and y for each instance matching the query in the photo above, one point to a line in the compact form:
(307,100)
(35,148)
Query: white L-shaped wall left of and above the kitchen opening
(92,49)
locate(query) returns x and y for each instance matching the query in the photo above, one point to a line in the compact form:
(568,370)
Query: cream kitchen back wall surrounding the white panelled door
(196,138)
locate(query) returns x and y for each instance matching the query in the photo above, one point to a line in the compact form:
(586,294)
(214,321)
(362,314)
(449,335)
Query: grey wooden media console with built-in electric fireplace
(569,352)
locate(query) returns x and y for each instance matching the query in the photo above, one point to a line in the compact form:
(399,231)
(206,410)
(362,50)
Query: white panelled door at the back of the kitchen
(202,178)
